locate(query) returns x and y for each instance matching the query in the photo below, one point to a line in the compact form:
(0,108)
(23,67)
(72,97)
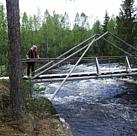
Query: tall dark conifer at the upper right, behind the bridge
(125,23)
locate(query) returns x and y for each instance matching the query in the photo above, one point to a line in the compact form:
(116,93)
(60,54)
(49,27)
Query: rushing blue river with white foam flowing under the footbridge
(96,107)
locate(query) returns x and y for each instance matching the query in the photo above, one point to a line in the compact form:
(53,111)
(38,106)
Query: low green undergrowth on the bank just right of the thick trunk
(37,105)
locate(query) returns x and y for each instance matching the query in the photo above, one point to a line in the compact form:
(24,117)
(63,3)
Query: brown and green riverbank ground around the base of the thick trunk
(40,118)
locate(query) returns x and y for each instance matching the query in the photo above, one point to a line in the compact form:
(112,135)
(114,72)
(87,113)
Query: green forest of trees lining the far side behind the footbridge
(53,34)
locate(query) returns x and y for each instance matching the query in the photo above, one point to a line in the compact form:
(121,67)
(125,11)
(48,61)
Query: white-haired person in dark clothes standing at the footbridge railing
(32,54)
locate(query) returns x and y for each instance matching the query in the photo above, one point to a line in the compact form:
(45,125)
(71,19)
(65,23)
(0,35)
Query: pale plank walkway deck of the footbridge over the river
(80,75)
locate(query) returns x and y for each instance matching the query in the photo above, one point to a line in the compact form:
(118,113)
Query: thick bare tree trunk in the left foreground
(15,76)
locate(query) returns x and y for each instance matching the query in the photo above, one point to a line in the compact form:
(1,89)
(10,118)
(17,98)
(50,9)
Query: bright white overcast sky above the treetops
(94,9)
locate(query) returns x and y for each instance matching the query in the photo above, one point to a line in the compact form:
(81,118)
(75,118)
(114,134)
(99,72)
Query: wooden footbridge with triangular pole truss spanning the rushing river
(42,73)
